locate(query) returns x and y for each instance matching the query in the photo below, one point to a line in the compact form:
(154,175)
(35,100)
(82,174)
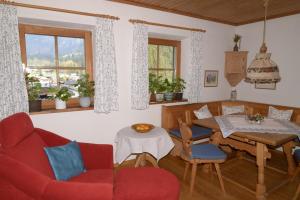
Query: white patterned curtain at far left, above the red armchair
(13,93)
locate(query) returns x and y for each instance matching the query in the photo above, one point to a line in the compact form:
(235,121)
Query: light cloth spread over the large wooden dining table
(237,123)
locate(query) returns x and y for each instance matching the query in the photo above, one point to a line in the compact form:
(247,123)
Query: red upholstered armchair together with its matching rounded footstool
(25,172)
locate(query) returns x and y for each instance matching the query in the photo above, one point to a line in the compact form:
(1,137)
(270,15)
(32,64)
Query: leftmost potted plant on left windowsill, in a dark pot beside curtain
(34,88)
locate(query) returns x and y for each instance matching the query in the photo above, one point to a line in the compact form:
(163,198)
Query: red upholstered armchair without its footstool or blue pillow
(25,172)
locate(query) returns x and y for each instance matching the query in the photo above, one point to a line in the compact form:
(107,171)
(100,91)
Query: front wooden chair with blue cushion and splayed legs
(195,154)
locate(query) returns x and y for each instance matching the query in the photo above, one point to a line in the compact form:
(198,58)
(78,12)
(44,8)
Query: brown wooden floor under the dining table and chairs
(241,169)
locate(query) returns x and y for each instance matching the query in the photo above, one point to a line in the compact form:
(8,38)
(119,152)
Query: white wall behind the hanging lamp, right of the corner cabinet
(283,41)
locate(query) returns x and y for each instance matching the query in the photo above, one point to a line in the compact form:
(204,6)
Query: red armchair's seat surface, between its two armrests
(95,176)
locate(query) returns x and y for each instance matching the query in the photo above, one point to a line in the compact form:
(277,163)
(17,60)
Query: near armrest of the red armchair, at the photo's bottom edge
(62,190)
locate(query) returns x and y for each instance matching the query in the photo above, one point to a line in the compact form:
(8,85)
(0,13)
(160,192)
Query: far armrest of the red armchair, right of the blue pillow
(97,156)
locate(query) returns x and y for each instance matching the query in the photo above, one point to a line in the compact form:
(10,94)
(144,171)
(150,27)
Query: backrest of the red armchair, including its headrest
(19,140)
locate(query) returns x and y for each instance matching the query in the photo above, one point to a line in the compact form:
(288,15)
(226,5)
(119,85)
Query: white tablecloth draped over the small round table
(157,142)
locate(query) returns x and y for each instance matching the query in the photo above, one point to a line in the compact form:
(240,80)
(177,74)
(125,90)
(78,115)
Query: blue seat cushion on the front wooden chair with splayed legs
(207,152)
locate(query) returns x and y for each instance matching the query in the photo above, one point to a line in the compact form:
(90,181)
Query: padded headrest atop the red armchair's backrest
(14,129)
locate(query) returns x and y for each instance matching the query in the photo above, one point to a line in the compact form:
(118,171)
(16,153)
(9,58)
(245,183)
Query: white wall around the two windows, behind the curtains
(101,128)
